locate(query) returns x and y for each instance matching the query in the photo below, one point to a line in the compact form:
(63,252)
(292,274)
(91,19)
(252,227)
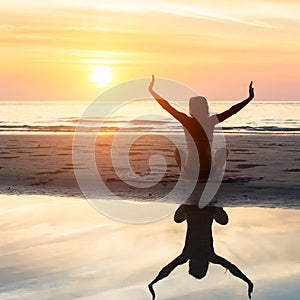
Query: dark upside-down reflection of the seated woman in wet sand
(198,249)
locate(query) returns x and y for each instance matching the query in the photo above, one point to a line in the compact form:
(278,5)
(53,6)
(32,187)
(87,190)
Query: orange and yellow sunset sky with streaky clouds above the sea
(48,49)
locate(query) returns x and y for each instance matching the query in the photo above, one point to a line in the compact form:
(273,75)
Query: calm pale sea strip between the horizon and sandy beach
(141,116)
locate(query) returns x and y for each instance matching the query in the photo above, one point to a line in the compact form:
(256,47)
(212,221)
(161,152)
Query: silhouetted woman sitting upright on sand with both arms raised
(198,128)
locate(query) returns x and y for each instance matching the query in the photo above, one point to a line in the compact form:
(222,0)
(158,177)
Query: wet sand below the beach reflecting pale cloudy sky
(63,249)
